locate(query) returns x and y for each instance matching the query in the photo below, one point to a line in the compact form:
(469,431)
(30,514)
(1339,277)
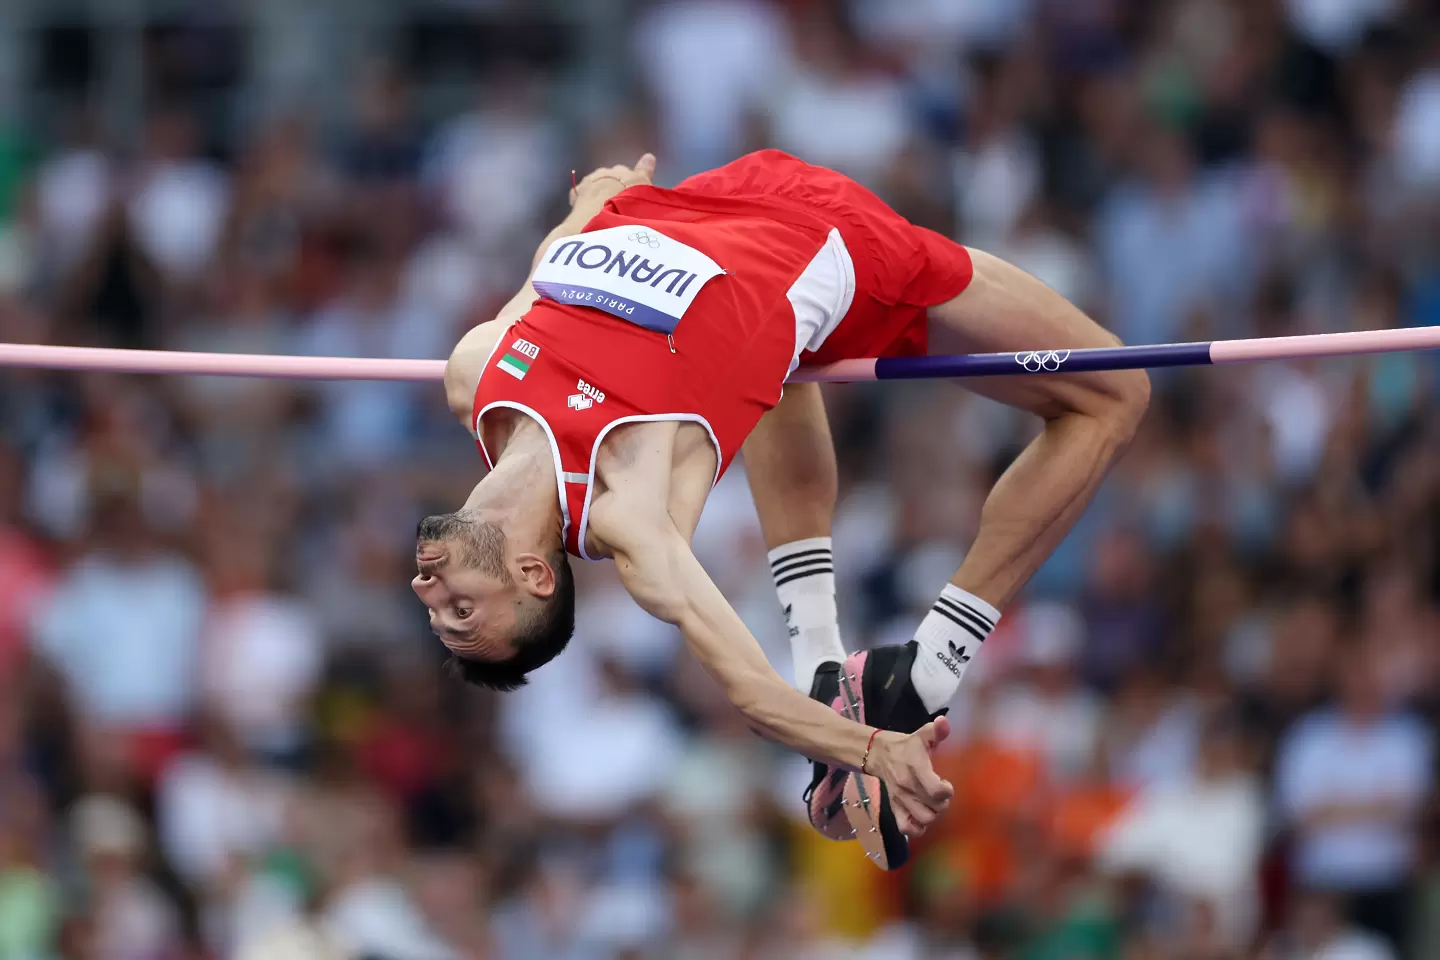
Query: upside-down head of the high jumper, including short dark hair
(500,610)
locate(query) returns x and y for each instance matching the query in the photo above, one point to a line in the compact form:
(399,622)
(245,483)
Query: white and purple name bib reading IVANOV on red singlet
(633,271)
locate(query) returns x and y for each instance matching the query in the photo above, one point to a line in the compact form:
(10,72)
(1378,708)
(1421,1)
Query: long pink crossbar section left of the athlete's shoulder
(220,365)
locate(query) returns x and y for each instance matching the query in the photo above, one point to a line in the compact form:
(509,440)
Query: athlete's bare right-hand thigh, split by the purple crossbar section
(1006,310)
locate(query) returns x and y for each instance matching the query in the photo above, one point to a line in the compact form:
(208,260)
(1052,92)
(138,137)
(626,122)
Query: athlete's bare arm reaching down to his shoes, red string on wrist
(662,574)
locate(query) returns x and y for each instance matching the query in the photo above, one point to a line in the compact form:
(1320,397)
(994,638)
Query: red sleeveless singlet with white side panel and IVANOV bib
(667,307)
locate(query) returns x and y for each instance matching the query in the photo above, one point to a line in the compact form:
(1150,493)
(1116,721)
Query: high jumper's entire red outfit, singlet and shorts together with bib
(695,304)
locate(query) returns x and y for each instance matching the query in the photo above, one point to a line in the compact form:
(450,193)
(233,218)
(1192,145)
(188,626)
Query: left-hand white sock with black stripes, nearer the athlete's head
(804,575)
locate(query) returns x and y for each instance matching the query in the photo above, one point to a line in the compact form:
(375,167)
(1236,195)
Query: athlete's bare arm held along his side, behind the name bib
(469,359)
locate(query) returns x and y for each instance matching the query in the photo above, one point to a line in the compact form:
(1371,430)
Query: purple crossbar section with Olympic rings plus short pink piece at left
(999,365)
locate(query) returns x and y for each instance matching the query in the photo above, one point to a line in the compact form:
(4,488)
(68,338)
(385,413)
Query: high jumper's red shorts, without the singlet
(901,268)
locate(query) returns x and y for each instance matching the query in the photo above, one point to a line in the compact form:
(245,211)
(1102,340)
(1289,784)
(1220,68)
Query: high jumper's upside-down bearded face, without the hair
(464,582)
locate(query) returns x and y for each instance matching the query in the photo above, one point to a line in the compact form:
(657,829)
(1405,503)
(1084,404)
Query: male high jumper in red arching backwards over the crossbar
(649,346)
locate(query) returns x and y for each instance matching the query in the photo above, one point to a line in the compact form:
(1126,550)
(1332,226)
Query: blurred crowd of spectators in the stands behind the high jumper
(1206,733)
